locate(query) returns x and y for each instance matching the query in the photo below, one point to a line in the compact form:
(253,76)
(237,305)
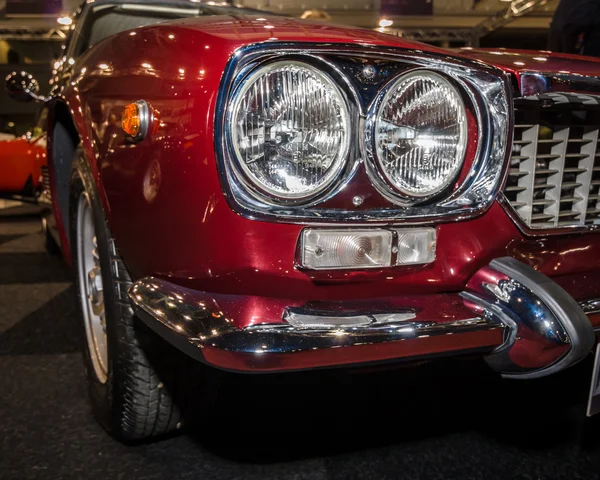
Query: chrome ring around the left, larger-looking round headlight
(336,174)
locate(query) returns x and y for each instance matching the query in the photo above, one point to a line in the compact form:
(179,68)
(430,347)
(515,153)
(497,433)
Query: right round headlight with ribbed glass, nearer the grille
(420,134)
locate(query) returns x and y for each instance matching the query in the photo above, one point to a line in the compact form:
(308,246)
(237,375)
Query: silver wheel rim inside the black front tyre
(91,289)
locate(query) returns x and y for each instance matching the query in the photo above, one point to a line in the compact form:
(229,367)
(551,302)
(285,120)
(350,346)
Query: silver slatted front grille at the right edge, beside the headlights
(554,177)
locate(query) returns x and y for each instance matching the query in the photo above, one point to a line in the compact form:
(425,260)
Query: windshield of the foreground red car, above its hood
(109,19)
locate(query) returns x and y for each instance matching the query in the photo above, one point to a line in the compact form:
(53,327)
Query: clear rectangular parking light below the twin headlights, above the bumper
(332,249)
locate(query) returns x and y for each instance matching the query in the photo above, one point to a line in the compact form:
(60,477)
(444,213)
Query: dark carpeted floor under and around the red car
(442,421)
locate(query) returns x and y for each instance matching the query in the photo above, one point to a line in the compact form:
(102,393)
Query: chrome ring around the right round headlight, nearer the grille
(379,175)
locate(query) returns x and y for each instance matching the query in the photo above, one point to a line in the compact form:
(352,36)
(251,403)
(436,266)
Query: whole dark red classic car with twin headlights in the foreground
(270,194)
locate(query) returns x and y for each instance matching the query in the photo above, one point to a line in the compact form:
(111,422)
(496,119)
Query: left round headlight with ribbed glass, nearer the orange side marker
(290,131)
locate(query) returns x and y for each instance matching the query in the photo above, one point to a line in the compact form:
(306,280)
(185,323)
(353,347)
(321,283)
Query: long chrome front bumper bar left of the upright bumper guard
(193,326)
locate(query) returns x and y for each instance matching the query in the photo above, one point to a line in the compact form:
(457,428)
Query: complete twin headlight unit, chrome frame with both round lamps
(348,185)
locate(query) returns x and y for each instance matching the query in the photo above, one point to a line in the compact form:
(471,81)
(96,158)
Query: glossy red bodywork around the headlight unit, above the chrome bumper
(163,196)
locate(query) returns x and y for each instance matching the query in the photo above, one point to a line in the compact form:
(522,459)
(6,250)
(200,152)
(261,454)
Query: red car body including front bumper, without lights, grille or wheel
(177,229)
